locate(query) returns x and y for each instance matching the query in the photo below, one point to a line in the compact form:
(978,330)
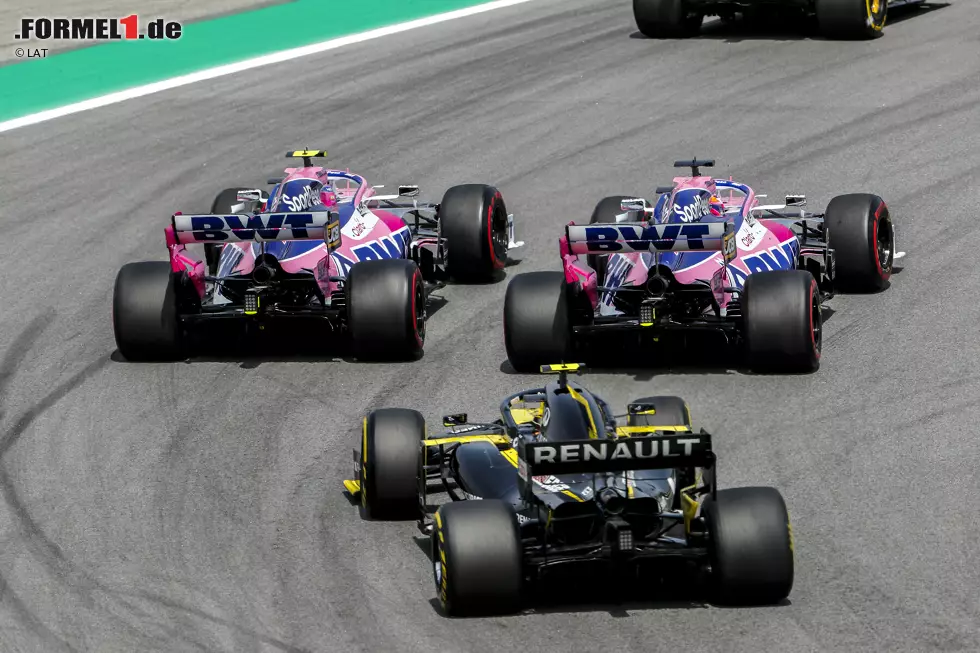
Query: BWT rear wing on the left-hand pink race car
(260,227)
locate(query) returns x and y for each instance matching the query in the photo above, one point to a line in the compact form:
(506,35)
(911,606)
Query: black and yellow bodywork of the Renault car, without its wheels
(588,515)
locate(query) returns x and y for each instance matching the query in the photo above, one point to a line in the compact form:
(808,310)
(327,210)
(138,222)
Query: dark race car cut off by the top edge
(837,19)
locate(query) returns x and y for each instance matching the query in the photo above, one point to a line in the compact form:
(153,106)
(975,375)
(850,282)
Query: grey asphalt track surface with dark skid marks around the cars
(198,506)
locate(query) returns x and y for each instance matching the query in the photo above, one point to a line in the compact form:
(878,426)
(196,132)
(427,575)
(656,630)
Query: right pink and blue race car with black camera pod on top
(707,259)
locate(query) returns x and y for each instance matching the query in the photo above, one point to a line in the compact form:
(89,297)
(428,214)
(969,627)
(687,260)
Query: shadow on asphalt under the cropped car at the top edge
(782,28)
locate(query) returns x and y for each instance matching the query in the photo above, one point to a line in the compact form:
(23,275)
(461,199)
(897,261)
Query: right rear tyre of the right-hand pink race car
(782,322)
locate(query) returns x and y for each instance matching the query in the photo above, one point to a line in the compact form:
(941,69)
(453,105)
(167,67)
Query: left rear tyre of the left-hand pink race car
(145,312)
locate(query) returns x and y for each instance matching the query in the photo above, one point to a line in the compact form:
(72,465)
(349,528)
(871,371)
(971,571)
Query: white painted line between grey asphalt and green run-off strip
(248,64)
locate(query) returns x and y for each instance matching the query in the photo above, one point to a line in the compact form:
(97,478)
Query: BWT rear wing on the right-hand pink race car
(645,237)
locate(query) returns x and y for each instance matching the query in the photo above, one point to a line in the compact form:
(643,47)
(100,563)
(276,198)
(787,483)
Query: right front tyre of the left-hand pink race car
(473,220)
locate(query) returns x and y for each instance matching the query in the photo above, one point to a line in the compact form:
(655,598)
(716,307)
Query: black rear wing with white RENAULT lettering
(654,451)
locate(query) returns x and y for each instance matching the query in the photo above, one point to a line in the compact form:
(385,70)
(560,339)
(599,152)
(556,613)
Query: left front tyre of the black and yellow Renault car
(390,463)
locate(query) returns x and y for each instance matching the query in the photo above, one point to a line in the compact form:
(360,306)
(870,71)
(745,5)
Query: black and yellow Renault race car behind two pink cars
(558,482)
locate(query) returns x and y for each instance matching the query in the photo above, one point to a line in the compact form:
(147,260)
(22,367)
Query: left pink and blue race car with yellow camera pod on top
(322,249)
